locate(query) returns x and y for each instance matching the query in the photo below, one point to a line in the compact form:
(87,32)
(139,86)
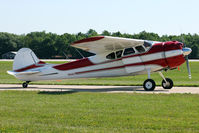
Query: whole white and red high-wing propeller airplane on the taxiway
(114,57)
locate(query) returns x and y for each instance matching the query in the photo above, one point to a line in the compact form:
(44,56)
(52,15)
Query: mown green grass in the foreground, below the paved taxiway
(22,111)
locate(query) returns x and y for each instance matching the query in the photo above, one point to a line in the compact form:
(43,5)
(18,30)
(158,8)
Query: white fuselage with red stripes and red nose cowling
(160,56)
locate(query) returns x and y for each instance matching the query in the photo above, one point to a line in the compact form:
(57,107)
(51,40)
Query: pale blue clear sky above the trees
(171,17)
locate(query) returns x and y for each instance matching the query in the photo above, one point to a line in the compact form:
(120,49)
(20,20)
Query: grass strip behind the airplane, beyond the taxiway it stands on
(180,78)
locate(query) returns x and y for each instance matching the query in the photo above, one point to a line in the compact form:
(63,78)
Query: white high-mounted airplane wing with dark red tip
(102,44)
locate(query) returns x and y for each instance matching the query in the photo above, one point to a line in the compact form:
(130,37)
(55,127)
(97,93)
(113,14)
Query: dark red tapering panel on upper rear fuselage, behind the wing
(73,65)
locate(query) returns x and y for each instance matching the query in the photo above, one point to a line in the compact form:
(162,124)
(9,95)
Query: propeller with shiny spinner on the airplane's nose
(186,52)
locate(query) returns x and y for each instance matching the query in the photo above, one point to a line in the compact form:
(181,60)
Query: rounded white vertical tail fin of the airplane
(25,57)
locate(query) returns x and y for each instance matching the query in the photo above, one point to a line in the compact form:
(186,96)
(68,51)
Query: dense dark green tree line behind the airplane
(50,45)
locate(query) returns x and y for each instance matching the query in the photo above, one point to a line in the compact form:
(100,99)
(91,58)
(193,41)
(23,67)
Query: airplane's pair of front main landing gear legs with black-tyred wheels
(149,84)
